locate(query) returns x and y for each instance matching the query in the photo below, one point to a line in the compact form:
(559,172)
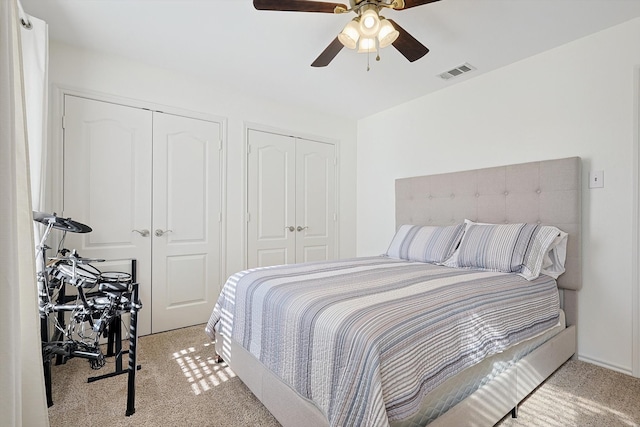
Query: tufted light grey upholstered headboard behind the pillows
(546,192)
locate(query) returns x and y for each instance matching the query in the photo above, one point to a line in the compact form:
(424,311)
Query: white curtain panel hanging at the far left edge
(23,401)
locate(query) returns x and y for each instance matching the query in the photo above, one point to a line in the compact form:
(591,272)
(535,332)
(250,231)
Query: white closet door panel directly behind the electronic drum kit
(107,186)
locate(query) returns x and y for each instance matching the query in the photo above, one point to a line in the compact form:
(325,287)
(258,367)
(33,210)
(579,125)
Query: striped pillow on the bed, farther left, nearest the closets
(430,244)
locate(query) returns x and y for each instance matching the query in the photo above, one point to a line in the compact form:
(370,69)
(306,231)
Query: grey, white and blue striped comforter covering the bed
(367,338)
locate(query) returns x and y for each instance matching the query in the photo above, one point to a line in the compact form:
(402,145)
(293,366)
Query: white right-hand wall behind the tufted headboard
(576,100)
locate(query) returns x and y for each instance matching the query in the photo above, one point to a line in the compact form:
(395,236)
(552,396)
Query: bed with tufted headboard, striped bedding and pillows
(381,340)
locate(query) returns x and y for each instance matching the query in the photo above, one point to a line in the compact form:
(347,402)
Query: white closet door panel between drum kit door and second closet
(186,220)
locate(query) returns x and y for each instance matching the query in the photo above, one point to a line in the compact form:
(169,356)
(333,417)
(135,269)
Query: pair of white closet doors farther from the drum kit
(291,200)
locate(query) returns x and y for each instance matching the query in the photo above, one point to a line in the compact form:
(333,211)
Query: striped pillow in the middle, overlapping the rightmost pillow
(495,247)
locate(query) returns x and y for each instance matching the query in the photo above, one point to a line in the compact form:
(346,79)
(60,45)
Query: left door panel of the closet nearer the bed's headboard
(271,197)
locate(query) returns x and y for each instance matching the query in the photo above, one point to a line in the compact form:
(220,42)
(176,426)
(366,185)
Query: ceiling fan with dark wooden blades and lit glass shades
(368,31)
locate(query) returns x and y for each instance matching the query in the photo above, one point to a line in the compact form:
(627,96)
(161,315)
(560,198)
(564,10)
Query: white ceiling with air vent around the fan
(269,53)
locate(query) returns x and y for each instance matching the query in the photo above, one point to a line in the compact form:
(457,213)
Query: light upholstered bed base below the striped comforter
(485,407)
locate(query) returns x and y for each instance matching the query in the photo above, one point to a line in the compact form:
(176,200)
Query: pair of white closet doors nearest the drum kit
(149,185)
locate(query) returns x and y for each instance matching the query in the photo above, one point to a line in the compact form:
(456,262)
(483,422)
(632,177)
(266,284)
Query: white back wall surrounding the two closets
(84,70)
